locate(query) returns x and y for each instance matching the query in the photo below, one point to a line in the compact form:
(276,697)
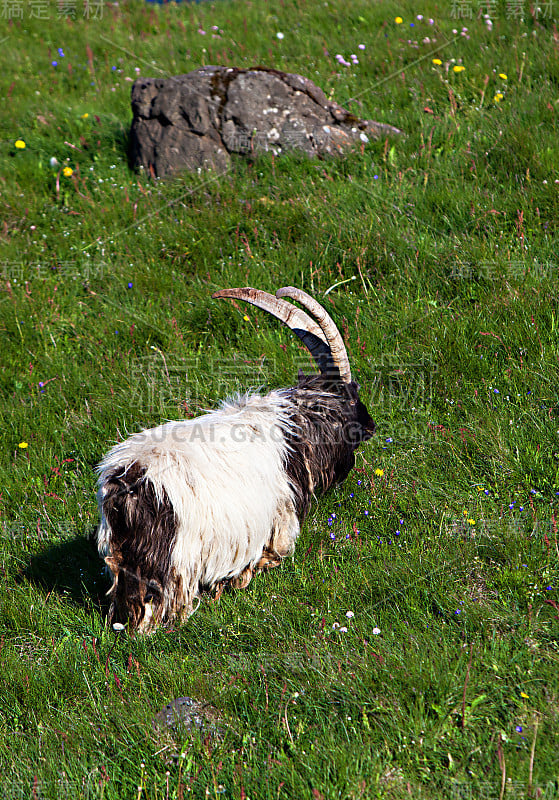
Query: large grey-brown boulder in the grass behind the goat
(198,120)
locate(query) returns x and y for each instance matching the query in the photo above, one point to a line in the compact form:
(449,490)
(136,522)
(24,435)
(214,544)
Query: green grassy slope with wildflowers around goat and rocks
(443,541)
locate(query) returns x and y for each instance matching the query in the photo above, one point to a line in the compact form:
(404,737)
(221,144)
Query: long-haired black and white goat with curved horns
(196,505)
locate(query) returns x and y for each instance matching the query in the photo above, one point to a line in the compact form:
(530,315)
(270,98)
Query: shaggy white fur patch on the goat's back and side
(224,476)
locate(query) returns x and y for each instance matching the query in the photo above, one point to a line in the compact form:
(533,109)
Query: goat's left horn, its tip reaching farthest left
(295,318)
